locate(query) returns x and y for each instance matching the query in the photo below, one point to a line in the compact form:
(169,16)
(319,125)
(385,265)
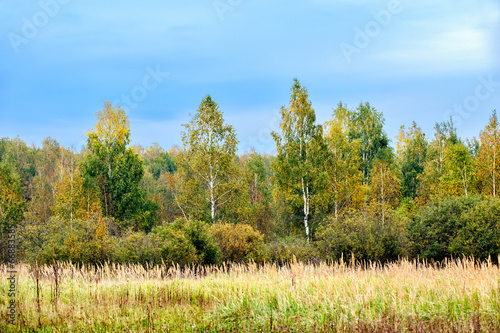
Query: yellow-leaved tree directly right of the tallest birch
(342,163)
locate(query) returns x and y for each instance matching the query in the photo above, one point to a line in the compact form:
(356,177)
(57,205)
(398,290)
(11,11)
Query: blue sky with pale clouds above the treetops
(412,60)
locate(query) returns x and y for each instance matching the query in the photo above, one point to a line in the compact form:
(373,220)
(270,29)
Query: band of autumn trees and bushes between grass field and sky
(331,190)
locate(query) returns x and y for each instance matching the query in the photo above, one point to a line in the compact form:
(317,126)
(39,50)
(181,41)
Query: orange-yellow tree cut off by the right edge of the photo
(488,164)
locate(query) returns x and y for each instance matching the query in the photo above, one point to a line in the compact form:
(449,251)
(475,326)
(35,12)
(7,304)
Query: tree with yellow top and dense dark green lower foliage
(116,170)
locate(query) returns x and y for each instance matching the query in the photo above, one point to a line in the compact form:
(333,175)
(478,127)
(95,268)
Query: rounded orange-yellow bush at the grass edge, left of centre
(238,242)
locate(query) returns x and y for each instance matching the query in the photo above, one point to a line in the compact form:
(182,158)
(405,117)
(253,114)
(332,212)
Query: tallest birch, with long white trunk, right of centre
(297,166)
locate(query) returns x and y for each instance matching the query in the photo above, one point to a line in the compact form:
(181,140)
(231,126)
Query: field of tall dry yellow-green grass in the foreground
(459,296)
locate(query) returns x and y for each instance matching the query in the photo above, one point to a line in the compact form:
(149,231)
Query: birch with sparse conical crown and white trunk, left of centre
(206,164)
